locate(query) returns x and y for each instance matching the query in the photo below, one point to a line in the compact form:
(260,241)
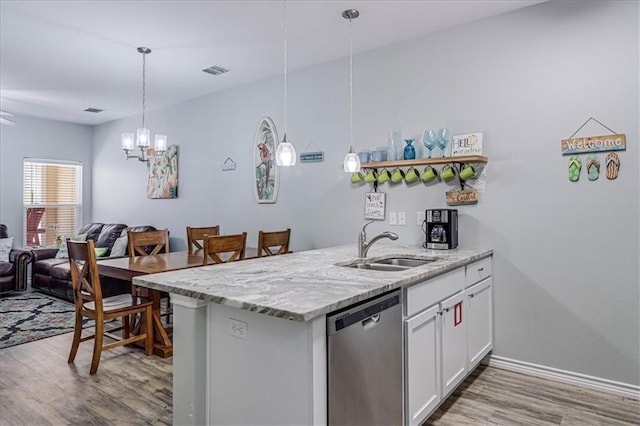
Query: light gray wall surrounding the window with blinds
(38,138)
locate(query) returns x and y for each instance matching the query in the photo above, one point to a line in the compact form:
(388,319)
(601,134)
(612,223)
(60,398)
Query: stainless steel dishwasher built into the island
(365,363)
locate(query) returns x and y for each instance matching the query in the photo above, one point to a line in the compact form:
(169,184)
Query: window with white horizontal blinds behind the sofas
(52,201)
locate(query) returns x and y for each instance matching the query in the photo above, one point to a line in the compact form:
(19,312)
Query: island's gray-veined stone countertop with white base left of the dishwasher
(250,336)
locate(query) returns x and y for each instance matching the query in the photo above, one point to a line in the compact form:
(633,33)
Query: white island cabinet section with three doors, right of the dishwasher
(448,330)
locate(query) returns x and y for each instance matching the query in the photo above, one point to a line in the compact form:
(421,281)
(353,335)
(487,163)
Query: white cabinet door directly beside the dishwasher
(422,365)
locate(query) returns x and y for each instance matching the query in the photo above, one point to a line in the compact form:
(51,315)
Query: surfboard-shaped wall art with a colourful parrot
(265,171)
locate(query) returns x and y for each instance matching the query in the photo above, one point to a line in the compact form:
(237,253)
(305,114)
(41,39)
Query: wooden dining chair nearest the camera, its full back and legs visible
(89,303)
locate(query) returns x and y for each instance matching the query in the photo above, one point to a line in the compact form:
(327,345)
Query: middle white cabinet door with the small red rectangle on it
(454,342)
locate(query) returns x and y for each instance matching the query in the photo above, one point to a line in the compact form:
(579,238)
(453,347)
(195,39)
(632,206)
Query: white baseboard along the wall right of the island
(597,383)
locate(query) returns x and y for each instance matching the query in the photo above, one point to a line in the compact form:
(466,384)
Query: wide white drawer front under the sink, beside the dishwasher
(430,292)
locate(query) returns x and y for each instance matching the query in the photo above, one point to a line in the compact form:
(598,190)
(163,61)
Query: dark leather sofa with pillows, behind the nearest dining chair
(52,276)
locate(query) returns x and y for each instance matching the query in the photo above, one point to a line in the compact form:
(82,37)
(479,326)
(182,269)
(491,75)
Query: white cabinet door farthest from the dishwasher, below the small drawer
(480,324)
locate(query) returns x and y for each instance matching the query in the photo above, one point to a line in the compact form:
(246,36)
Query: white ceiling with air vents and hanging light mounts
(58,58)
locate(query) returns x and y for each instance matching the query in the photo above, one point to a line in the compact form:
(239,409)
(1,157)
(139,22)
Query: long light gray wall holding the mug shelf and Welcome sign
(566,254)
